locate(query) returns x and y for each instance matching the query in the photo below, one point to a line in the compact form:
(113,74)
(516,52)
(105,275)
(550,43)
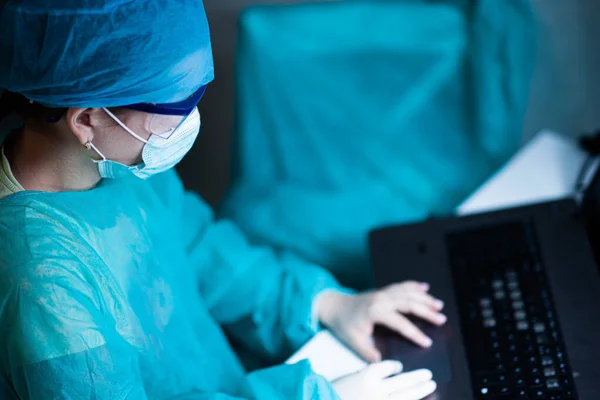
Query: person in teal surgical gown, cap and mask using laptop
(115,282)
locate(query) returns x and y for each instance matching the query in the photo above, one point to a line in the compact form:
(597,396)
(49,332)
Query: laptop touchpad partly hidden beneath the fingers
(436,358)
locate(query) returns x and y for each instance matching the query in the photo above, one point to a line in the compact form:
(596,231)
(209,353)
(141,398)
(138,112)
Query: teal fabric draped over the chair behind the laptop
(357,114)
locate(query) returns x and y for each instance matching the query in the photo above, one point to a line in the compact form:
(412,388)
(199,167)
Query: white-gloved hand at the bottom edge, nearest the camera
(381,381)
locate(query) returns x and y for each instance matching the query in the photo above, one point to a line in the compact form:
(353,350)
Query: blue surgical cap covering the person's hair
(104,53)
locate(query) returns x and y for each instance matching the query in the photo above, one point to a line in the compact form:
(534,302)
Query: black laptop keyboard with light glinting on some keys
(514,345)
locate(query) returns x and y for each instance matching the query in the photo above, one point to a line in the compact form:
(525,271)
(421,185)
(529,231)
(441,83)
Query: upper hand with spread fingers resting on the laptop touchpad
(353,317)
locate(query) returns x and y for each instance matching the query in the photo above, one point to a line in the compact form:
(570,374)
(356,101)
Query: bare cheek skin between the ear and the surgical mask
(118,145)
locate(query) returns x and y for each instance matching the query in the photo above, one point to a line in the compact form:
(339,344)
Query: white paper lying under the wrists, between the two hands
(329,357)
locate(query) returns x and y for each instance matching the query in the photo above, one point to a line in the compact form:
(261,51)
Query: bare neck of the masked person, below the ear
(49,163)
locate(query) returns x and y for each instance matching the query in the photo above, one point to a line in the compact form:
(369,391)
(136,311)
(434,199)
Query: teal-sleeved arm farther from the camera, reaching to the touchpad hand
(263,300)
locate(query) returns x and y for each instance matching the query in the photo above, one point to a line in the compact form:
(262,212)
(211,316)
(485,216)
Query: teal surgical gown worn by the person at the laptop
(132,291)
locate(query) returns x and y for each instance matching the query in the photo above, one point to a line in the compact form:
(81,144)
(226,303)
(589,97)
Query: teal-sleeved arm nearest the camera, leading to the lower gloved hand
(61,345)
